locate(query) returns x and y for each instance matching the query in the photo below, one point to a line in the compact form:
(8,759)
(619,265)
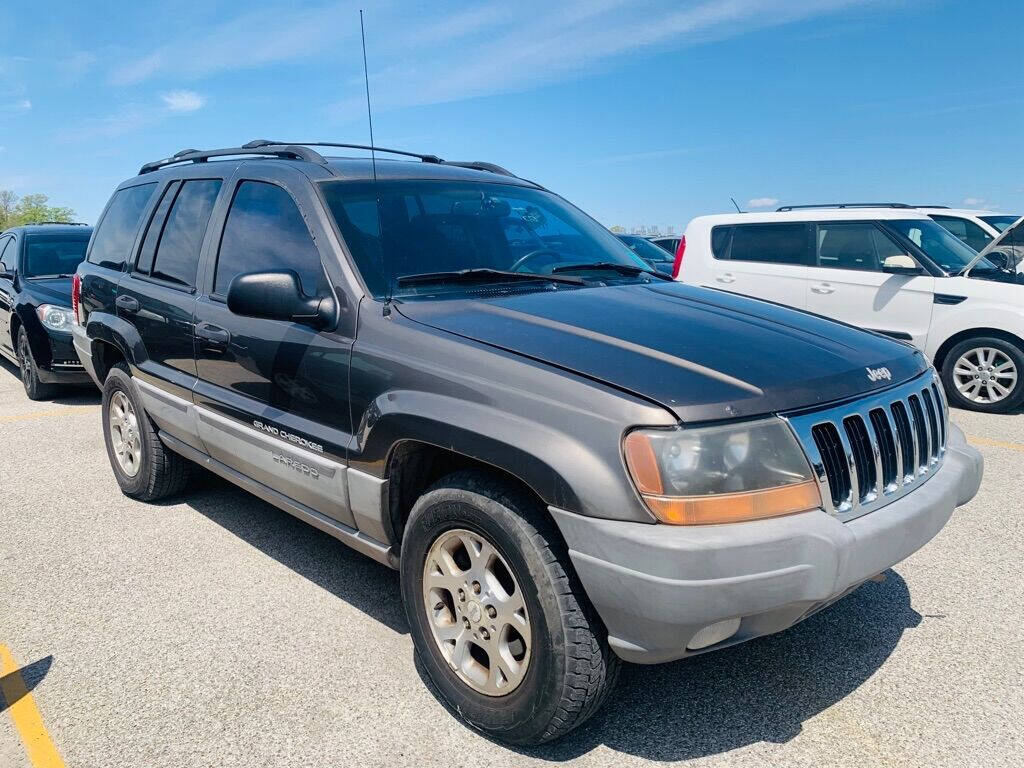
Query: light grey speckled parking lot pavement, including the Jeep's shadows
(216,630)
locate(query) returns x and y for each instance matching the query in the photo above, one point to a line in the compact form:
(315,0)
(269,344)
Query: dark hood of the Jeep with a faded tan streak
(703,355)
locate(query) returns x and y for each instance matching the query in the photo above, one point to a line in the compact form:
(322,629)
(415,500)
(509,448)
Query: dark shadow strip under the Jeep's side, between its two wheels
(310,552)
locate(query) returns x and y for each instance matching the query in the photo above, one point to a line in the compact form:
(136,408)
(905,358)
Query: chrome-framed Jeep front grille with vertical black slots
(870,453)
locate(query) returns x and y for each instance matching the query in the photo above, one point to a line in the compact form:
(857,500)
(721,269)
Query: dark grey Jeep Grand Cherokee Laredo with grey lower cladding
(570,459)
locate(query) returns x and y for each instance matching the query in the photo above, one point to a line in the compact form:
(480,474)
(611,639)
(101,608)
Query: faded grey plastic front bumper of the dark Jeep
(657,586)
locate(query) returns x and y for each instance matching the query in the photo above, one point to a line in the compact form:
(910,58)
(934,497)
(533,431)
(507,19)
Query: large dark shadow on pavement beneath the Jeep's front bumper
(762,691)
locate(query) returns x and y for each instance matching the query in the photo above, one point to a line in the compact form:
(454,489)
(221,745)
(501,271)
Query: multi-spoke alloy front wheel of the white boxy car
(985,374)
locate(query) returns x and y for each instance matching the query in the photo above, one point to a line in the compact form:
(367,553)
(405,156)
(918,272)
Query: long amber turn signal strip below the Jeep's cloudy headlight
(753,505)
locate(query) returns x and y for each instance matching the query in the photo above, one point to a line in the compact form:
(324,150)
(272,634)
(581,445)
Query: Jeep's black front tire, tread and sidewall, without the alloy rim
(571,669)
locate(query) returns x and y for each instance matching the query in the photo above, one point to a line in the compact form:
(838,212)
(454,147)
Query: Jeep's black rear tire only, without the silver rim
(161,472)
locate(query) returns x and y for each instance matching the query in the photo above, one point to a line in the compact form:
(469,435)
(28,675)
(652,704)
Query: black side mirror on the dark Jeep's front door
(279,296)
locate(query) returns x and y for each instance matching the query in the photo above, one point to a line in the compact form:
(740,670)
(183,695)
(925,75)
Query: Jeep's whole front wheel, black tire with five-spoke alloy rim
(498,618)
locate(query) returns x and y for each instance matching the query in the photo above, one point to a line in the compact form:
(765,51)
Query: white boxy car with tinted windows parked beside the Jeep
(892,271)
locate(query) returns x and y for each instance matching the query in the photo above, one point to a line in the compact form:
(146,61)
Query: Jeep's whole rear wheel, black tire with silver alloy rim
(144,467)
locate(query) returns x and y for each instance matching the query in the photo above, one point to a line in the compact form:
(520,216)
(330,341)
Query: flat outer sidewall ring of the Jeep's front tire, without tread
(525,713)
